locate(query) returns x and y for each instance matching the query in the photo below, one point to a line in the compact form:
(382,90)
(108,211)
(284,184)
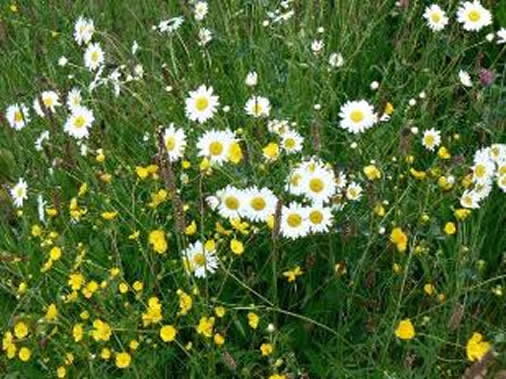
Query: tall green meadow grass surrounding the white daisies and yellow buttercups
(328,325)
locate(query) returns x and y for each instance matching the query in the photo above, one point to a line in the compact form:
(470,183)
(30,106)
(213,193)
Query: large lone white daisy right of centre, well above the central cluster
(357,116)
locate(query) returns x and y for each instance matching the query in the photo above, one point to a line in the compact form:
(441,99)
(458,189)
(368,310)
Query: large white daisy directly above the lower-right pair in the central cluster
(319,184)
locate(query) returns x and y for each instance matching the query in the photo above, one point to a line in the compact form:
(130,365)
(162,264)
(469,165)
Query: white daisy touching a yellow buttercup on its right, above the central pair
(215,144)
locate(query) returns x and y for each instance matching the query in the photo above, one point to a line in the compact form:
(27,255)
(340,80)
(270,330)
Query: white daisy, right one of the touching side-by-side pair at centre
(259,204)
